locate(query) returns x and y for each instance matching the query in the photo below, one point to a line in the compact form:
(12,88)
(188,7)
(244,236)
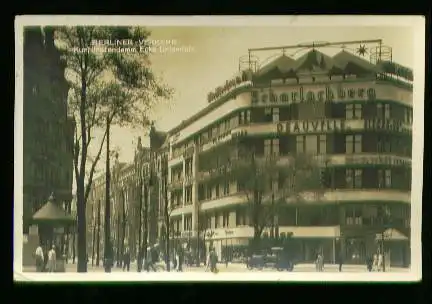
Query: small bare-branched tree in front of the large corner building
(268,184)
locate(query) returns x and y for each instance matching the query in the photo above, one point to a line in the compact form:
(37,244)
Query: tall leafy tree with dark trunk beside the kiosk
(92,100)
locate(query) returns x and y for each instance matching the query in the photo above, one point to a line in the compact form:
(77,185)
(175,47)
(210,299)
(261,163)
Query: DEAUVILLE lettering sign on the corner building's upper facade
(311,126)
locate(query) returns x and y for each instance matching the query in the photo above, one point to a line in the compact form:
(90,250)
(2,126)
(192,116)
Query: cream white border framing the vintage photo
(417,23)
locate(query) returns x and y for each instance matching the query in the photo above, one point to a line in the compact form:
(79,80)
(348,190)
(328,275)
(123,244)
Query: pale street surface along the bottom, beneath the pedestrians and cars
(237,267)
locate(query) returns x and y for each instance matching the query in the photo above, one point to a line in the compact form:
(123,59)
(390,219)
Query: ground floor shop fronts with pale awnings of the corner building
(304,243)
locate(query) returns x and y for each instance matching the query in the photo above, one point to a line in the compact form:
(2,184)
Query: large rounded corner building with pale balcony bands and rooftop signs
(355,112)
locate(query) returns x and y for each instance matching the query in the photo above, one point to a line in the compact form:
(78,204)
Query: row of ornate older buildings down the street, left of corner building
(134,200)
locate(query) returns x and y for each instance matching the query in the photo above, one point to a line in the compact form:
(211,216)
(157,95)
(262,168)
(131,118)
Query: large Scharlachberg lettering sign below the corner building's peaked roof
(302,94)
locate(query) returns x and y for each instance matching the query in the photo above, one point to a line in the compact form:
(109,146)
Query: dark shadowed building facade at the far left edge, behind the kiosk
(48,130)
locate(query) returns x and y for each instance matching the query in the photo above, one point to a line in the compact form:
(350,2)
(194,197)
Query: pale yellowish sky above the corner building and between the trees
(213,57)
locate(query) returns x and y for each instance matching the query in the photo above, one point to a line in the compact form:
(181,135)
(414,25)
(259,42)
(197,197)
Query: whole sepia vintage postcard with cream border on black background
(218,148)
